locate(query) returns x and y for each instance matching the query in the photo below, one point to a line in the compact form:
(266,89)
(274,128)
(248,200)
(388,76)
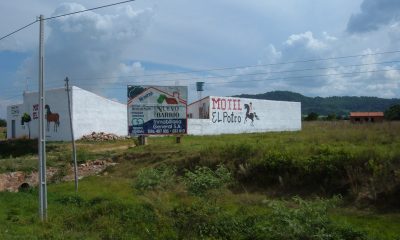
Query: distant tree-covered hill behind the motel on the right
(328,105)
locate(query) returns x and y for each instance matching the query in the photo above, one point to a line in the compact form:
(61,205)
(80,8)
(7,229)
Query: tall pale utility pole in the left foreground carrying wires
(42,135)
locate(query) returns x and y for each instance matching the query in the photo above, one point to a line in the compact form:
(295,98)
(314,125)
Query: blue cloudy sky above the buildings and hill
(316,48)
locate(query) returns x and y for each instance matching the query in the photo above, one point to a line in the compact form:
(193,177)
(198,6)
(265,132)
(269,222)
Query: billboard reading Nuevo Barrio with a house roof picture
(154,110)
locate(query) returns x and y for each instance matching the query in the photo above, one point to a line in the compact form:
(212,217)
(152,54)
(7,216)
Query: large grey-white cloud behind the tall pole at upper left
(90,47)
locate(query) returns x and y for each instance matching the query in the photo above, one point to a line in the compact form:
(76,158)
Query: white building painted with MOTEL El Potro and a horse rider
(221,115)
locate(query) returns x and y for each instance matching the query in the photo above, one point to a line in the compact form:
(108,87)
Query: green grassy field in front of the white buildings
(332,180)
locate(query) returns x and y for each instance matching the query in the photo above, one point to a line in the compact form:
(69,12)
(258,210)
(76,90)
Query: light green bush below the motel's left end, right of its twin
(203,179)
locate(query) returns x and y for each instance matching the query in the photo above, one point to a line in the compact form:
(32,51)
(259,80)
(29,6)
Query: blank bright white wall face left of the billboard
(93,113)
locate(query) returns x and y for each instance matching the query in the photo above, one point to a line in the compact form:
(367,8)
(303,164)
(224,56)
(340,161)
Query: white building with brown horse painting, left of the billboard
(90,113)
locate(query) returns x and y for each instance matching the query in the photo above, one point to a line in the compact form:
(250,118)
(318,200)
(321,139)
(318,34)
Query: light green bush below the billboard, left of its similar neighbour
(158,178)
